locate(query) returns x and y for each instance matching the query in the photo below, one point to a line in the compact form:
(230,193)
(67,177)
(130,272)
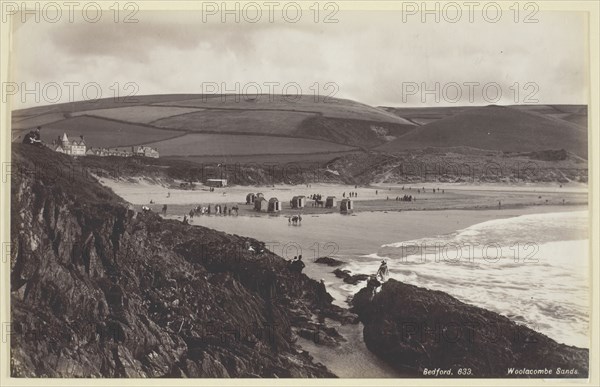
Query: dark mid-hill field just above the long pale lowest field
(240,121)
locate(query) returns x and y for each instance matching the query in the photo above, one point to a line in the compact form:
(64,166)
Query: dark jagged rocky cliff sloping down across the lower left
(98,290)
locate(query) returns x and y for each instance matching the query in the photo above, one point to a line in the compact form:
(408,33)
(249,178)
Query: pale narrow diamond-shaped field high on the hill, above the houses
(136,114)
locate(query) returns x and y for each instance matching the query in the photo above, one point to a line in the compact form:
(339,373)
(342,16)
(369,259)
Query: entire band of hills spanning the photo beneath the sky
(223,128)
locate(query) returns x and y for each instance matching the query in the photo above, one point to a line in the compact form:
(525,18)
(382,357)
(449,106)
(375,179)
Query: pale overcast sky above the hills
(371,57)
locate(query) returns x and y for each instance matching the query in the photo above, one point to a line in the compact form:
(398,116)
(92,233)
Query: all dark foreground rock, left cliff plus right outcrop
(100,290)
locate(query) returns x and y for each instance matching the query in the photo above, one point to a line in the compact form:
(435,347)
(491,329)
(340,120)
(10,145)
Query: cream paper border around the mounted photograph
(592,7)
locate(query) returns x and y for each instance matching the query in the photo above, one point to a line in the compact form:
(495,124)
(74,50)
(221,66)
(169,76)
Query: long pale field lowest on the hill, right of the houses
(216,144)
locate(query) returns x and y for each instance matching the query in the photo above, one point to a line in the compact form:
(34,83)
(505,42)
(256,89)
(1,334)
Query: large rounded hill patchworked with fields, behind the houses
(218,126)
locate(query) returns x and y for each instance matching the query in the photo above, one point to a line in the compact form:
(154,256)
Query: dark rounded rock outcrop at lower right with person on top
(415,329)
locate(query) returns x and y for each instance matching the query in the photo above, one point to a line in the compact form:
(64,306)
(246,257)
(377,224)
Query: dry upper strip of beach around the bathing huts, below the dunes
(374,198)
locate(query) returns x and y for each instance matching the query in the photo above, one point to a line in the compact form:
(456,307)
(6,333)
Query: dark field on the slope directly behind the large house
(104,133)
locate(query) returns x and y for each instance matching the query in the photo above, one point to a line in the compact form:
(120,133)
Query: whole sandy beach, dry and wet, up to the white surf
(353,239)
